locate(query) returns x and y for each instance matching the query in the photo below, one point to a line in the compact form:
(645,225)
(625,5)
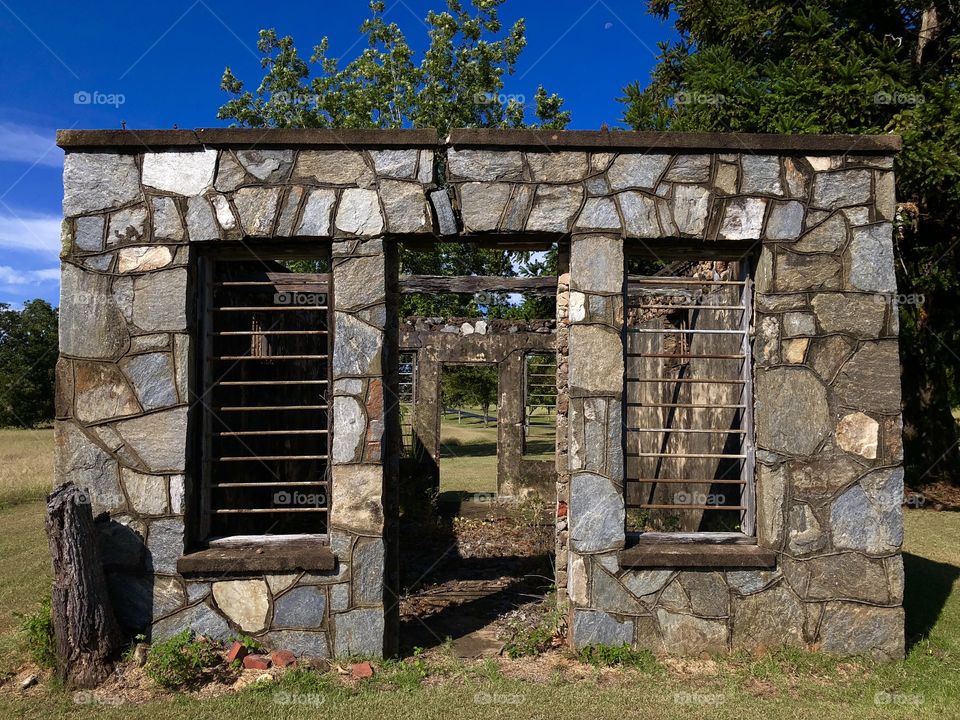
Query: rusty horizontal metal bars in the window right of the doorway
(688,401)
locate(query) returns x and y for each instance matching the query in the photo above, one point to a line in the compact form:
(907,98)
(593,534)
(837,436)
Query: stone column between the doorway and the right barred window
(596,371)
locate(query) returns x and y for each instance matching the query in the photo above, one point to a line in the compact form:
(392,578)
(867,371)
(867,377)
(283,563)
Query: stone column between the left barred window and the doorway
(359,445)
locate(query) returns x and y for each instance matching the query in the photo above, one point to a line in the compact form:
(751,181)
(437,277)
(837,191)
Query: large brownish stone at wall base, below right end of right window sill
(768,620)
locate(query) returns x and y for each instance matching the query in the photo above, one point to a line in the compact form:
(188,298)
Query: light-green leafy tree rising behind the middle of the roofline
(458,81)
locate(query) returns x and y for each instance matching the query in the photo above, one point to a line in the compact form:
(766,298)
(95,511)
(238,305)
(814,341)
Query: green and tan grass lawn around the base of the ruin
(783,685)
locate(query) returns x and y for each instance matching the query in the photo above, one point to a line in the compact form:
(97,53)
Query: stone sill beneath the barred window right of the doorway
(734,553)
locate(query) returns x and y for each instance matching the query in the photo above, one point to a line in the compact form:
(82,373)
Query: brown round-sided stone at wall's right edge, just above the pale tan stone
(870,380)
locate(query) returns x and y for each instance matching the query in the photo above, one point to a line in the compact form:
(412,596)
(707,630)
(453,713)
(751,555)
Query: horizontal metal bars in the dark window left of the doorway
(265,423)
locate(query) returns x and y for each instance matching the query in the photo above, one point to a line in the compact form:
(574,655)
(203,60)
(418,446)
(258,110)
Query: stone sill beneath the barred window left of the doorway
(273,556)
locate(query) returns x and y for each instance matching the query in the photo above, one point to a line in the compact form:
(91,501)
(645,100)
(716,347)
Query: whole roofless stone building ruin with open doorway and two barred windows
(229,373)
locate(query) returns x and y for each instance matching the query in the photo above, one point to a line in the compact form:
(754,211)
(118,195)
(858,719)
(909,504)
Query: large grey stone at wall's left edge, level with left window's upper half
(91,325)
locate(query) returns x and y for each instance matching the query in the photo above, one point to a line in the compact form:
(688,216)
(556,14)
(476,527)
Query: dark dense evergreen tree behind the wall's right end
(850,66)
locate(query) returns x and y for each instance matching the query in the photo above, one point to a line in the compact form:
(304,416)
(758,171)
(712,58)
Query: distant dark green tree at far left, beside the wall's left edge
(28,356)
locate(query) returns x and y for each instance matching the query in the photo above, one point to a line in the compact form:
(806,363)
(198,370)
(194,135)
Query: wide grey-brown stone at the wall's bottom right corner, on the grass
(855,629)
